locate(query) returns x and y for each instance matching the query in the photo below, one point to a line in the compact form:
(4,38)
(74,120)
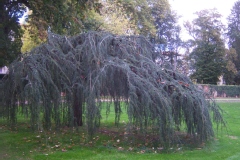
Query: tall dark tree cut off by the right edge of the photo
(234,38)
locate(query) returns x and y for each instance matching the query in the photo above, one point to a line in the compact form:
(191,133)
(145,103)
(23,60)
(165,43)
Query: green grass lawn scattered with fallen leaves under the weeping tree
(70,144)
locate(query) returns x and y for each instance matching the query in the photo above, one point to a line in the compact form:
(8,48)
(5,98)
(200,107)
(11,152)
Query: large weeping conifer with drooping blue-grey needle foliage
(94,67)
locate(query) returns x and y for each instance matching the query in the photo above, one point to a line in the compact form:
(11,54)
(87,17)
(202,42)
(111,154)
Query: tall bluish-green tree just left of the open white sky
(167,39)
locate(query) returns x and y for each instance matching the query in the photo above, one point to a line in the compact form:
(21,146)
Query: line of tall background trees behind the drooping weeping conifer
(206,56)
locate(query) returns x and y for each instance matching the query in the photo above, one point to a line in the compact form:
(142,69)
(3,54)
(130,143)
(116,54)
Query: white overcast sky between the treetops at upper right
(187,8)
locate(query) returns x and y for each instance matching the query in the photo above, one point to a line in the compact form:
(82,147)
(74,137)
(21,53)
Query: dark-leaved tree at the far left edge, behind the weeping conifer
(10,30)
